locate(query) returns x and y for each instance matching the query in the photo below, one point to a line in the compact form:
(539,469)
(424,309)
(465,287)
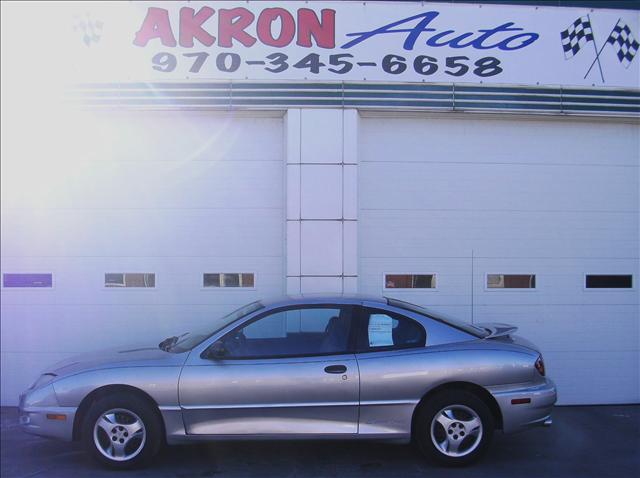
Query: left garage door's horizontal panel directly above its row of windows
(149,232)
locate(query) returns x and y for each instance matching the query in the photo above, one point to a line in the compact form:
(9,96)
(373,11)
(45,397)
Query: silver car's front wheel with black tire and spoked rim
(122,431)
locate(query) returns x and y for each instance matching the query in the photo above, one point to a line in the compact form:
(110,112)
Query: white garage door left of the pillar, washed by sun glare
(155,199)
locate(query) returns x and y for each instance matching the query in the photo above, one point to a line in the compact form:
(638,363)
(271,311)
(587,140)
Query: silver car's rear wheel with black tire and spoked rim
(454,428)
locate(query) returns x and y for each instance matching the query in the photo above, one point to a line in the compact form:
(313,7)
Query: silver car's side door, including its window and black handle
(288,371)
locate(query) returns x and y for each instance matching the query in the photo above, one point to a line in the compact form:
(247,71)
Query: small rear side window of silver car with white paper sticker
(385,330)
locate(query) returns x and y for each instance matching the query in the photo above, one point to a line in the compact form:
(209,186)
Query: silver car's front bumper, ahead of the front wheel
(45,417)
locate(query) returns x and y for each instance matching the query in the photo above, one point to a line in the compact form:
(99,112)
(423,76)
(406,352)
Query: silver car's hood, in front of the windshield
(129,356)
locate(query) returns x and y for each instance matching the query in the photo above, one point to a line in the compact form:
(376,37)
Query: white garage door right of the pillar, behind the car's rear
(474,201)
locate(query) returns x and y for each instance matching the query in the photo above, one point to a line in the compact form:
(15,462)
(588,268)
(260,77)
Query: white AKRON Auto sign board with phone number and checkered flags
(350,41)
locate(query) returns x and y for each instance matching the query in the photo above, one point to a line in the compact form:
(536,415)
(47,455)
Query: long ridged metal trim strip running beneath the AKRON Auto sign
(436,97)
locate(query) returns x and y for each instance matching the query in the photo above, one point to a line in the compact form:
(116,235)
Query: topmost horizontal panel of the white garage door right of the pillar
(490,140)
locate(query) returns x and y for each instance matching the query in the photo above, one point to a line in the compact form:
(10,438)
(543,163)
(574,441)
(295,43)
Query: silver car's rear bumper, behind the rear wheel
(520,416)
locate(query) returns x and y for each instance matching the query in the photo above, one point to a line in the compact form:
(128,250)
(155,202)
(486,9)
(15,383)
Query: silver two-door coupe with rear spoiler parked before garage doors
(332,367)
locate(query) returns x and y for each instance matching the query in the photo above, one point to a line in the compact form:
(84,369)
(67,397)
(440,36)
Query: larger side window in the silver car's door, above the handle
(292,332)
